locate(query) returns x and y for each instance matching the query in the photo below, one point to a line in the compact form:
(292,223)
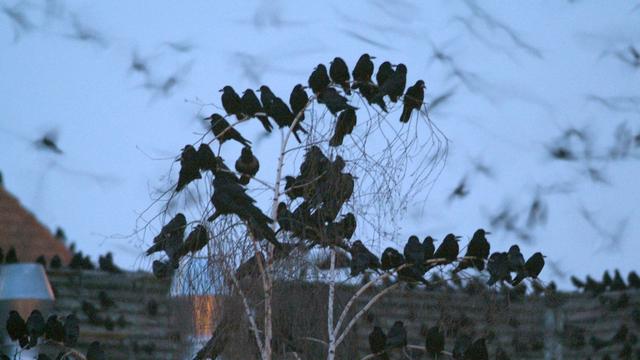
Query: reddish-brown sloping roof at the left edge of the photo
(20,229)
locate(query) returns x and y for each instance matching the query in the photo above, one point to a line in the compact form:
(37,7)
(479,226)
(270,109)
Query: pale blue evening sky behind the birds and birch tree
(113,129)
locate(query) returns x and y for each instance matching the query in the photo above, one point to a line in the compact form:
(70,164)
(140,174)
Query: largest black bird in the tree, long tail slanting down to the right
(229,197)
